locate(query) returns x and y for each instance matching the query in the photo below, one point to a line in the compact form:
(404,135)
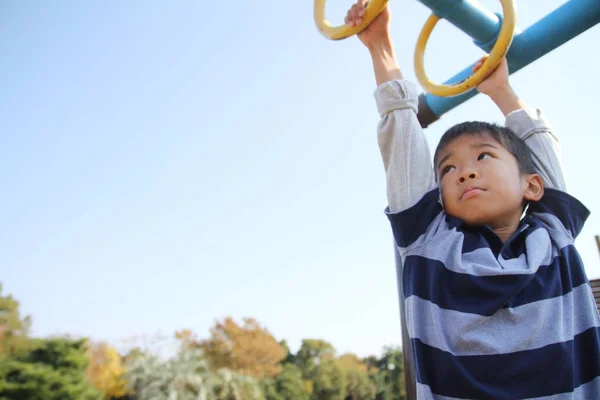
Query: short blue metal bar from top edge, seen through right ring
(468,16)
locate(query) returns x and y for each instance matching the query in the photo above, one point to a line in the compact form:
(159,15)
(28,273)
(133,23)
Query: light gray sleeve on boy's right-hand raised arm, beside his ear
(531,126)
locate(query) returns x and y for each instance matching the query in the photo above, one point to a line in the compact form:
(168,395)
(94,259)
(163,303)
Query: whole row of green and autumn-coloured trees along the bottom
(245,363)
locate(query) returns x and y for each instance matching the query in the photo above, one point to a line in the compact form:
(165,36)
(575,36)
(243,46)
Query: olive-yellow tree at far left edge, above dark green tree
(14,330)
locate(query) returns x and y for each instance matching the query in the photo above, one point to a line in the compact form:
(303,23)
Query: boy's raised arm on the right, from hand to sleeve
(530,124)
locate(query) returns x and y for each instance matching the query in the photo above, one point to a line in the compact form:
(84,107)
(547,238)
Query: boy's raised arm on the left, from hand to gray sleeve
(404,149)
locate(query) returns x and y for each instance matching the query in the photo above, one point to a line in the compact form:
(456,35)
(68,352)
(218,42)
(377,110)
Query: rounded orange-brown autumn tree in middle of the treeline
(248,349)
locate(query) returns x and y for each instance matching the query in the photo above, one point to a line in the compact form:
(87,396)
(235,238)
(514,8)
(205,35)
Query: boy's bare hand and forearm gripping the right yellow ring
(498,88)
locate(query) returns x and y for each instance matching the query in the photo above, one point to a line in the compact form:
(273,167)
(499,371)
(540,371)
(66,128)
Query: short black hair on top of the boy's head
(507,138)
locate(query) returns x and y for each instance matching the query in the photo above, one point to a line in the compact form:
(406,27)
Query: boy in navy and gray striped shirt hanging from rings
(497,302)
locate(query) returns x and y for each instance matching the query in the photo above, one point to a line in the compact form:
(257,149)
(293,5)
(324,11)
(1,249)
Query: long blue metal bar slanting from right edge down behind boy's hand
(561,25)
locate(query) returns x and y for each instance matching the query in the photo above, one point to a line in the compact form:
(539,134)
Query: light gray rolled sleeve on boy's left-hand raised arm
(404,149)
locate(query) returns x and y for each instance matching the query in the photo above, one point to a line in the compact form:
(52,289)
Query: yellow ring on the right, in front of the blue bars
(500,49)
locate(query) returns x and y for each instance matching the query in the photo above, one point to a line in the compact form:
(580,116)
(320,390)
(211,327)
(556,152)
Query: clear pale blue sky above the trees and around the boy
(166,164)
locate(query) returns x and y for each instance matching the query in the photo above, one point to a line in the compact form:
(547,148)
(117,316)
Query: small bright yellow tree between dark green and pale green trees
(106,370)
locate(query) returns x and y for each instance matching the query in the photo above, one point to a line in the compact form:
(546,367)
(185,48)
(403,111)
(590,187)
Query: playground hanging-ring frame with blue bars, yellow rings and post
(494,34)
